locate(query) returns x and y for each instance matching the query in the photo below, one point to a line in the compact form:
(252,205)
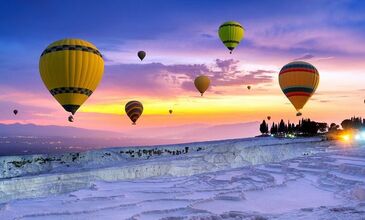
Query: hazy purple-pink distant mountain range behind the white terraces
(31,138)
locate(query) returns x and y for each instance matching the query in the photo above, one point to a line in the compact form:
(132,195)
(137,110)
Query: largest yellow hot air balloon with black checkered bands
(71,69)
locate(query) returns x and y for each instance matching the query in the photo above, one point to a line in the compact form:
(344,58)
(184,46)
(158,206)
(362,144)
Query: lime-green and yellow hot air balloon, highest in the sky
(231,33)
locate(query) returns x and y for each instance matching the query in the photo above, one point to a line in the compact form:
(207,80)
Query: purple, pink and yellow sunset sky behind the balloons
(181,41)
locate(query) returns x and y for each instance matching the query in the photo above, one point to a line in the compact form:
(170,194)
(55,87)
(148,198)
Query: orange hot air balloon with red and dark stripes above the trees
(298,80)
